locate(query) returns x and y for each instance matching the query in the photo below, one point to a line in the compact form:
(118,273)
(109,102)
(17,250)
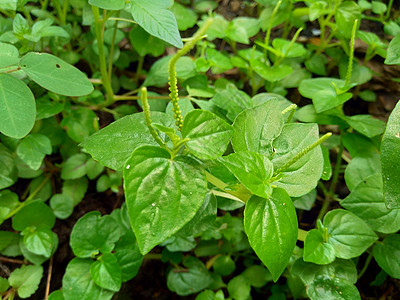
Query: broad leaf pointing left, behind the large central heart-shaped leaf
(114,144)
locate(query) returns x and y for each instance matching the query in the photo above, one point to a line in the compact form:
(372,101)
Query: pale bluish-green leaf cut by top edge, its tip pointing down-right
(157,20)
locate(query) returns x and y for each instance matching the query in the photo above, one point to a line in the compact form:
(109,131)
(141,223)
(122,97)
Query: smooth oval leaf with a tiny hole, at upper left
(55,75)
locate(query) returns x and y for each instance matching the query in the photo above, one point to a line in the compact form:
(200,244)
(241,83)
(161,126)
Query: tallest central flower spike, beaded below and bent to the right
(173,82)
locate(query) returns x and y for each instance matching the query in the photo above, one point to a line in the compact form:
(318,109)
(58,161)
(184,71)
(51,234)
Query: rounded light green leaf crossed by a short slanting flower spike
(302,176)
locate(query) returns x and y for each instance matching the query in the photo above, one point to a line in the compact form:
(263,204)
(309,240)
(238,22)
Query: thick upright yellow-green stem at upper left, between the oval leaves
(102,58)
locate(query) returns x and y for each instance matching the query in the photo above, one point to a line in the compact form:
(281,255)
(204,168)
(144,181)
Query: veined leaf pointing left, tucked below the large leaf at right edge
(366,201)
